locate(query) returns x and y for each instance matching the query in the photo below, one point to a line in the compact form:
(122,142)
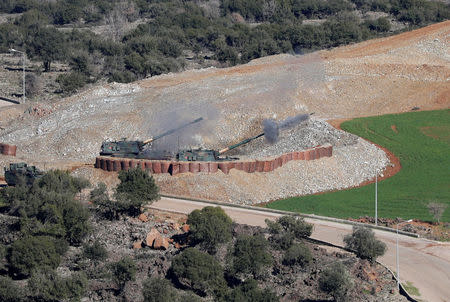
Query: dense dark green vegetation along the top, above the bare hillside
(147,38)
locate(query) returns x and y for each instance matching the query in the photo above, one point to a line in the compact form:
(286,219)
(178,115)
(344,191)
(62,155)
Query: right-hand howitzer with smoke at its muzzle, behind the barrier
(212,155)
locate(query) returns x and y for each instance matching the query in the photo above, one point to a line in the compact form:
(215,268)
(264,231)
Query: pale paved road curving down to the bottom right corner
(424,263)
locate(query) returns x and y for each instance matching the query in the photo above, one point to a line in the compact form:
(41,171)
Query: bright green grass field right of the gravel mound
(421,140)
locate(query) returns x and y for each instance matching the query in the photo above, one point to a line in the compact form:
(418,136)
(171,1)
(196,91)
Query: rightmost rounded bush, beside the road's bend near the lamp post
(363,242)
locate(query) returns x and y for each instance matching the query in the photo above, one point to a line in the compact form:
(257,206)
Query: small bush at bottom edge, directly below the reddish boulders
(158,290)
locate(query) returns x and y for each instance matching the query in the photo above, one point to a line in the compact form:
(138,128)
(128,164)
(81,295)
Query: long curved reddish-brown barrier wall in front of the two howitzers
(177,167)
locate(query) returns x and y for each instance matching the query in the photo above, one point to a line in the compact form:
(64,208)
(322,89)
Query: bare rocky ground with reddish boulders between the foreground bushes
(370,282)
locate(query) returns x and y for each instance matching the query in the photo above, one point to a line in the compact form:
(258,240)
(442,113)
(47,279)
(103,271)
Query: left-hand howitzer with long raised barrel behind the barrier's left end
(134,149)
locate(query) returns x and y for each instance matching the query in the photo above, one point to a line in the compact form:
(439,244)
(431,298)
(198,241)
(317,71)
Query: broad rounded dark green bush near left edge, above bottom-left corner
(30,253)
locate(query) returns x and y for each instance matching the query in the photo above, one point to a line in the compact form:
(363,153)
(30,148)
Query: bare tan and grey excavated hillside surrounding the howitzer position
(387,75)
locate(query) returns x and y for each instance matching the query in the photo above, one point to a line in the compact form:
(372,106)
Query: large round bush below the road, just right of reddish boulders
(210,226)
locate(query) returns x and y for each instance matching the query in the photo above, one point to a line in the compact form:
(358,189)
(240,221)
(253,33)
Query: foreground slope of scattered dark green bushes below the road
(47,252)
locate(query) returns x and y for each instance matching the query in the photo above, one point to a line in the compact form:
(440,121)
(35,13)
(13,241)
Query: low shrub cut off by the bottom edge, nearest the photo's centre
(249,292)
